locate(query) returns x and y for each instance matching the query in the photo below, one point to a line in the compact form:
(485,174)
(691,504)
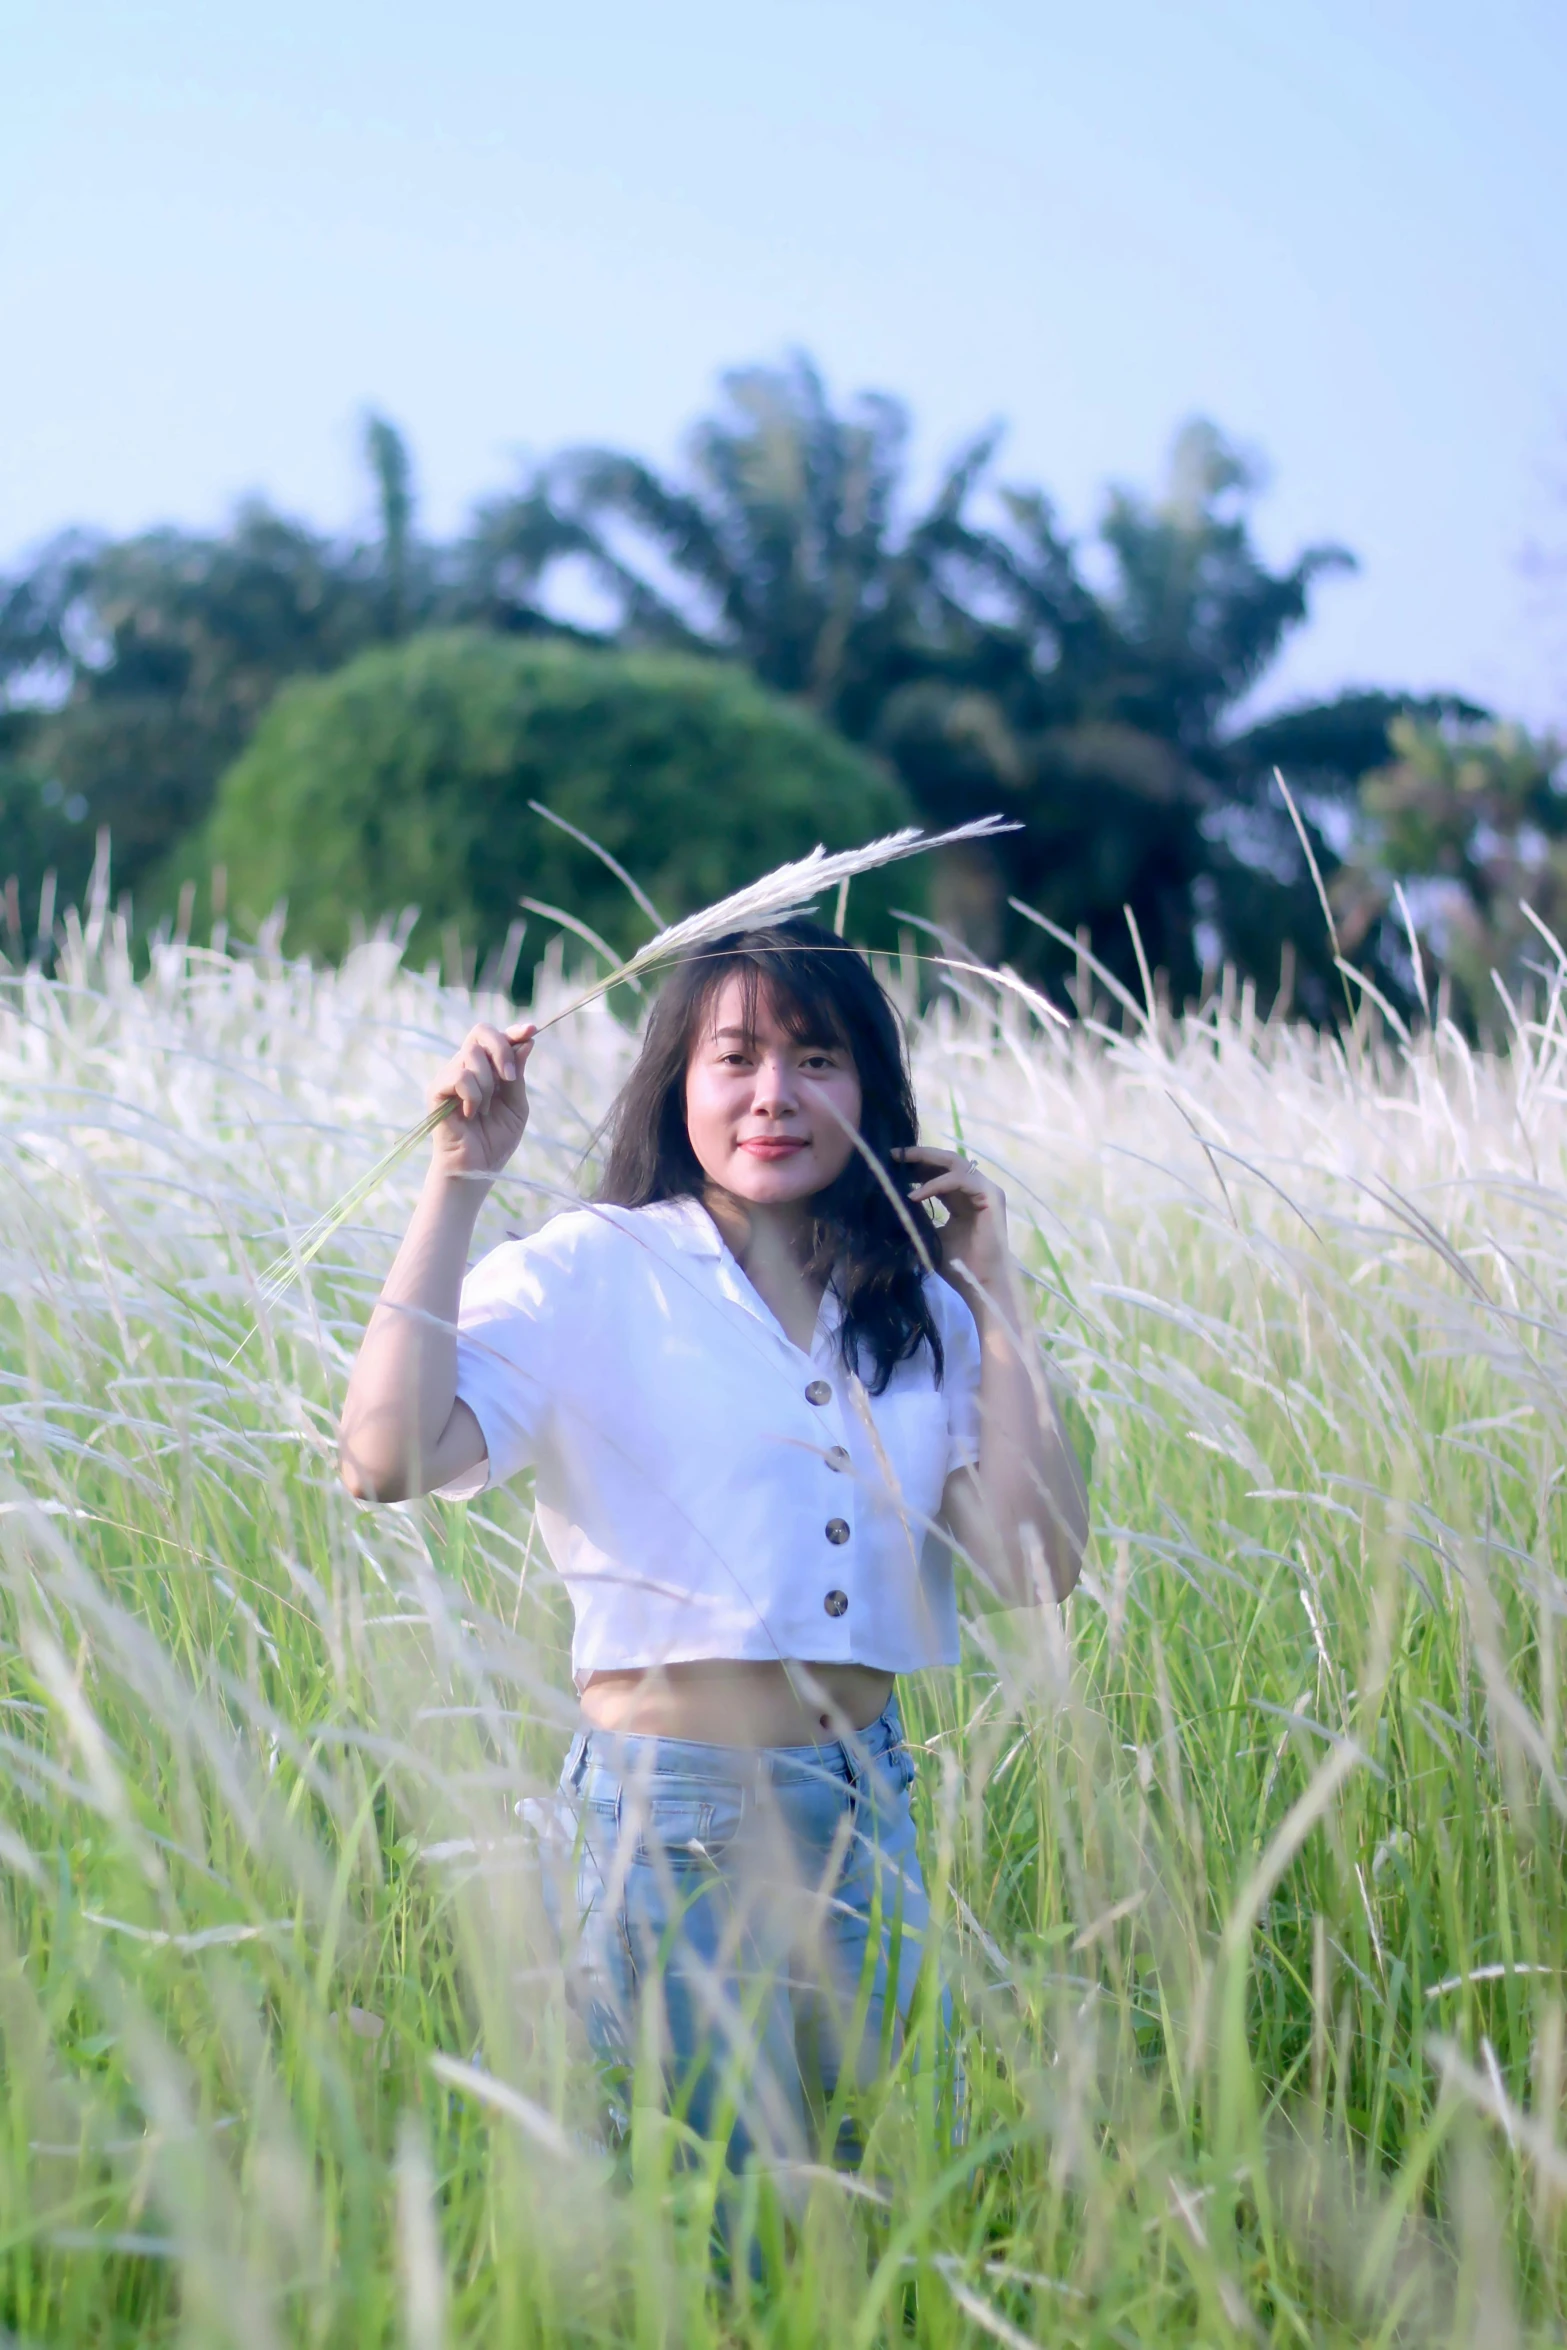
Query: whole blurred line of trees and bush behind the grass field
(788,647)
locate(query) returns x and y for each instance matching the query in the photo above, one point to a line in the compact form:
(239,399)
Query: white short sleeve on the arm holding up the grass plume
(509,1329)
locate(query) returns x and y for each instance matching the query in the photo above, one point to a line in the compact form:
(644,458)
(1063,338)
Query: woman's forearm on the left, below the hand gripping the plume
(403,1430)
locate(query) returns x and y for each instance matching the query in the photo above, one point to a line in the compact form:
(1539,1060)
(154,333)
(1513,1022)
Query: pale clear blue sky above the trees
(1331,227)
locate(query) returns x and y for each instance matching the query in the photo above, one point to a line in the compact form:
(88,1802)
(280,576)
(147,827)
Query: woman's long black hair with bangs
(863,1242)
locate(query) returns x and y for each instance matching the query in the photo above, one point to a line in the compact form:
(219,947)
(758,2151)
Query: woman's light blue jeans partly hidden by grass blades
(753,1923)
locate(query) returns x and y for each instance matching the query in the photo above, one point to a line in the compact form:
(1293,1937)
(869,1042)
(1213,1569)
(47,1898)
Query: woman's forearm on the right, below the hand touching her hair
(1025,1503)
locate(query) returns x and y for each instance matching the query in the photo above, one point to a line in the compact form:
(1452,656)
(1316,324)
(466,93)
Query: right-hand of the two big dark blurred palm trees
(1101,716)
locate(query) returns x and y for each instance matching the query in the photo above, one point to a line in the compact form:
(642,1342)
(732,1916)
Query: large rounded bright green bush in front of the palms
(408,777)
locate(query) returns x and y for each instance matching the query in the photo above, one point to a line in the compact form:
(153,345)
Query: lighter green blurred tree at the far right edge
(1472,826)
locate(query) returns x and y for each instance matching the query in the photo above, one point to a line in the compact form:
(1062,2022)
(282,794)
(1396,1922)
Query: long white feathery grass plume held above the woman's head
(781,894)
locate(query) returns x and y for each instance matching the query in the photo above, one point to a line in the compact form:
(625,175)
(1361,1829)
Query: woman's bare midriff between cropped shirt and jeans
(739,1703)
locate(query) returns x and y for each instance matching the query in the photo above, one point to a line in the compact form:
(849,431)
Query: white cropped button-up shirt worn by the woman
(701,1484)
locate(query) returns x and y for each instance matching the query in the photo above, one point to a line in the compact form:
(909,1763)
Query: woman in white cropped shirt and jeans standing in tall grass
(765,1397)
